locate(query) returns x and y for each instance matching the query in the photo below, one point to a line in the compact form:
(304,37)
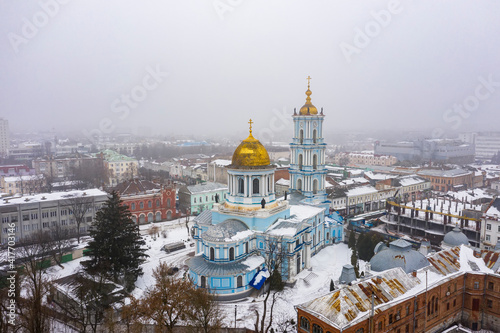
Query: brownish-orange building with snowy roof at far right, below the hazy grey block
(448,180)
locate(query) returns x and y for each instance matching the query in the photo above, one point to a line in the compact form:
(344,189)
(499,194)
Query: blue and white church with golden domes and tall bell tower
(237,239)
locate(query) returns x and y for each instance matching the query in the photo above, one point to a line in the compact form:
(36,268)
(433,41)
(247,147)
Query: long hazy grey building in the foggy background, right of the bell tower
(443,151)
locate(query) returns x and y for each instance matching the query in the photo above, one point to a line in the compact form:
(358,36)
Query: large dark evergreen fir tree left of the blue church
(117,249)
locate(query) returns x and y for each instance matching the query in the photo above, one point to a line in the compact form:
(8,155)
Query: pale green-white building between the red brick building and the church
(197,198)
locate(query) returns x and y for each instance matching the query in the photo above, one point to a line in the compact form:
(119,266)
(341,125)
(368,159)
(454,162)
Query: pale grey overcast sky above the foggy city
(86,65)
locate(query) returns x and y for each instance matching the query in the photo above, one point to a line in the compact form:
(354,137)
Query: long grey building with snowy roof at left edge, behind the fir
(46,212)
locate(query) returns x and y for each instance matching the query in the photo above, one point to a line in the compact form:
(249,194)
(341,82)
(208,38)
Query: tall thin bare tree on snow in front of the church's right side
(275,254)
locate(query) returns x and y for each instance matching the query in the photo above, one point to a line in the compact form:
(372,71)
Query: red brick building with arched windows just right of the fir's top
(147,201)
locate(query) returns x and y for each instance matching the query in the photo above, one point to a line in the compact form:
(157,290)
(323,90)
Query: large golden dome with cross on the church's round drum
(250,153)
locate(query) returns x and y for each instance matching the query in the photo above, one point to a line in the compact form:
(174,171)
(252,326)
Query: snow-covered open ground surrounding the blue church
(311,283)
